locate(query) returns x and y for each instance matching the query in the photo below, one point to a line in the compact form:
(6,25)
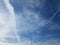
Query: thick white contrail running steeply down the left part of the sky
(11,10)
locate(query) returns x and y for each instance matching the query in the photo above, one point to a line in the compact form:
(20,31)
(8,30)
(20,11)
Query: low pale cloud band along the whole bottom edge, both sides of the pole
(46,42)
